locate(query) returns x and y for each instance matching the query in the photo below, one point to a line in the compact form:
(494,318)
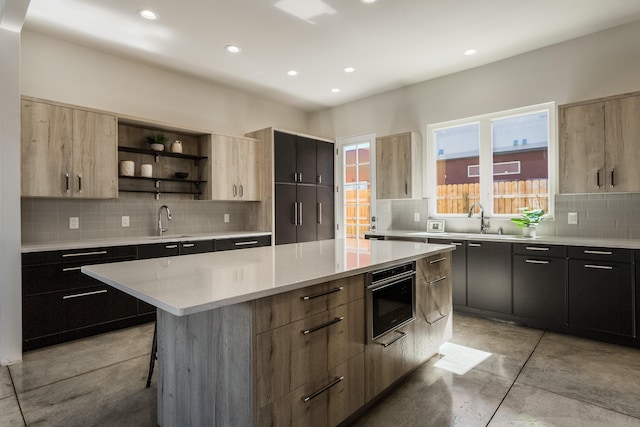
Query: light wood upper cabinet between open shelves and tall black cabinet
(235,168)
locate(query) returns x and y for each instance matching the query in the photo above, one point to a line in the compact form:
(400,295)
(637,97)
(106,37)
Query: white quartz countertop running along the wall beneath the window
(551,240)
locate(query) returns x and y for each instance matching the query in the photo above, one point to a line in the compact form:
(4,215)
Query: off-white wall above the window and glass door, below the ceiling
(601,64)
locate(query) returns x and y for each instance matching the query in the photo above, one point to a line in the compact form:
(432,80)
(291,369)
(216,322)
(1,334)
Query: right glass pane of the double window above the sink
(520,163)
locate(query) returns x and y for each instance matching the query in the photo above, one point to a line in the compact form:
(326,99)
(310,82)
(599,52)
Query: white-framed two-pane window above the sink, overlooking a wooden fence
(504,161)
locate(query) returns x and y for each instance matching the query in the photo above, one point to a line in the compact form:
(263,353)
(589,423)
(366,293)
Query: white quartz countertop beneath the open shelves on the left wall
(57,246)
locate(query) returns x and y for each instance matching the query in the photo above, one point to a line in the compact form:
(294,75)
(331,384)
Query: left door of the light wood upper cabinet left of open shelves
(46,150)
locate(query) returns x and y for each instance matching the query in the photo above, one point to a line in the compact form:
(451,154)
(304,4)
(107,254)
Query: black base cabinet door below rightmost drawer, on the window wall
(600,296)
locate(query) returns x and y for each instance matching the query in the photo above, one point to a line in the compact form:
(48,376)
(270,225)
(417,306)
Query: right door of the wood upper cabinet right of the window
(622,148)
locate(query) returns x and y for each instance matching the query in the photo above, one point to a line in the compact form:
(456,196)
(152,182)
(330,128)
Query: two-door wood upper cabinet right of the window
(598,145)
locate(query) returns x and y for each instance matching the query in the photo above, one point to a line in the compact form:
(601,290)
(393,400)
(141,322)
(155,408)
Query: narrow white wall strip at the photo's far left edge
(10,272)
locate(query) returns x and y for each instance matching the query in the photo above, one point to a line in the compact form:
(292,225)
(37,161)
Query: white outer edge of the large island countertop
(250,296)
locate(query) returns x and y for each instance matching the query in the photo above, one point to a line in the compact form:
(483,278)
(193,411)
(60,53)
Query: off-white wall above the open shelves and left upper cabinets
(61,71)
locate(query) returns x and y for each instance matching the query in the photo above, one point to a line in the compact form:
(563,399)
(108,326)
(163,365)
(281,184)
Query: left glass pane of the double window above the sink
(457,168)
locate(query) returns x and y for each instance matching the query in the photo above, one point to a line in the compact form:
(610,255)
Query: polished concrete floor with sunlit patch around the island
(523,377)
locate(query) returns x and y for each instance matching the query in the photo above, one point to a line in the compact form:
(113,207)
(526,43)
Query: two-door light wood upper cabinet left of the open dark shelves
(67,152)
